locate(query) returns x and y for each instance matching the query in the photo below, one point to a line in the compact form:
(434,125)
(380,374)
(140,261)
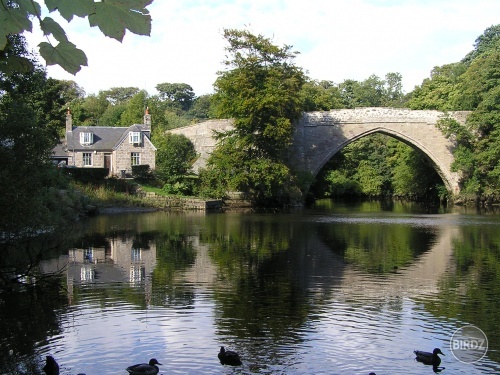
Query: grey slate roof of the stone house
(105,138)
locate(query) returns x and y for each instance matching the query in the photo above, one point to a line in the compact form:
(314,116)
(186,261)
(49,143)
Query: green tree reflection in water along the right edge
(471,294)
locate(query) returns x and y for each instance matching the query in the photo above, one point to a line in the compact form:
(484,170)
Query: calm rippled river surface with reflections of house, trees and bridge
(334,289)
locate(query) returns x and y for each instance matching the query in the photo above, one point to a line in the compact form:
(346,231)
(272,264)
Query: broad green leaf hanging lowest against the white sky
(65,54)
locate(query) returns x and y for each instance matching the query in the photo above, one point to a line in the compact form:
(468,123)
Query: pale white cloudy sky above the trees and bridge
(336,39)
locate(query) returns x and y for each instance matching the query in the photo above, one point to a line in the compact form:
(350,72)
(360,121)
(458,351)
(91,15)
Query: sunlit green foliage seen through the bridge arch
(376,166)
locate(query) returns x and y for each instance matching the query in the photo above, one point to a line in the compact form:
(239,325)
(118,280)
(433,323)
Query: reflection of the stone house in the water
(119,259)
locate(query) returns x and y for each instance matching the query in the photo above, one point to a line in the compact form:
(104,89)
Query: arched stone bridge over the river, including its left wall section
(320,135)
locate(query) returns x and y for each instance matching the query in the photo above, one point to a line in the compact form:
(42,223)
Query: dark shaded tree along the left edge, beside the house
(28,199)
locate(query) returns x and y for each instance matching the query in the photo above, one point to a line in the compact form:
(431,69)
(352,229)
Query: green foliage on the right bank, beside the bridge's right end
(477,154)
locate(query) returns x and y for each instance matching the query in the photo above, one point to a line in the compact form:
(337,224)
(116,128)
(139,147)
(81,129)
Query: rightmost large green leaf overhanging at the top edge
(114,17)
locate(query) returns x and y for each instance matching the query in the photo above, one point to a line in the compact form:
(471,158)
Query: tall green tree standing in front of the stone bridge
(261,92)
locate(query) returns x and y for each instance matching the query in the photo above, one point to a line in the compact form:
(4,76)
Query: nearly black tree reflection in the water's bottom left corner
(28,313)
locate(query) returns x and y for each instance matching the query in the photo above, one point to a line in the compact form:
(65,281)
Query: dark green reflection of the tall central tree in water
(267,285)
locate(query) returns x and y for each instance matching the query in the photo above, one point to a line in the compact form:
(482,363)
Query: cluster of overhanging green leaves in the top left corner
(113,18)
